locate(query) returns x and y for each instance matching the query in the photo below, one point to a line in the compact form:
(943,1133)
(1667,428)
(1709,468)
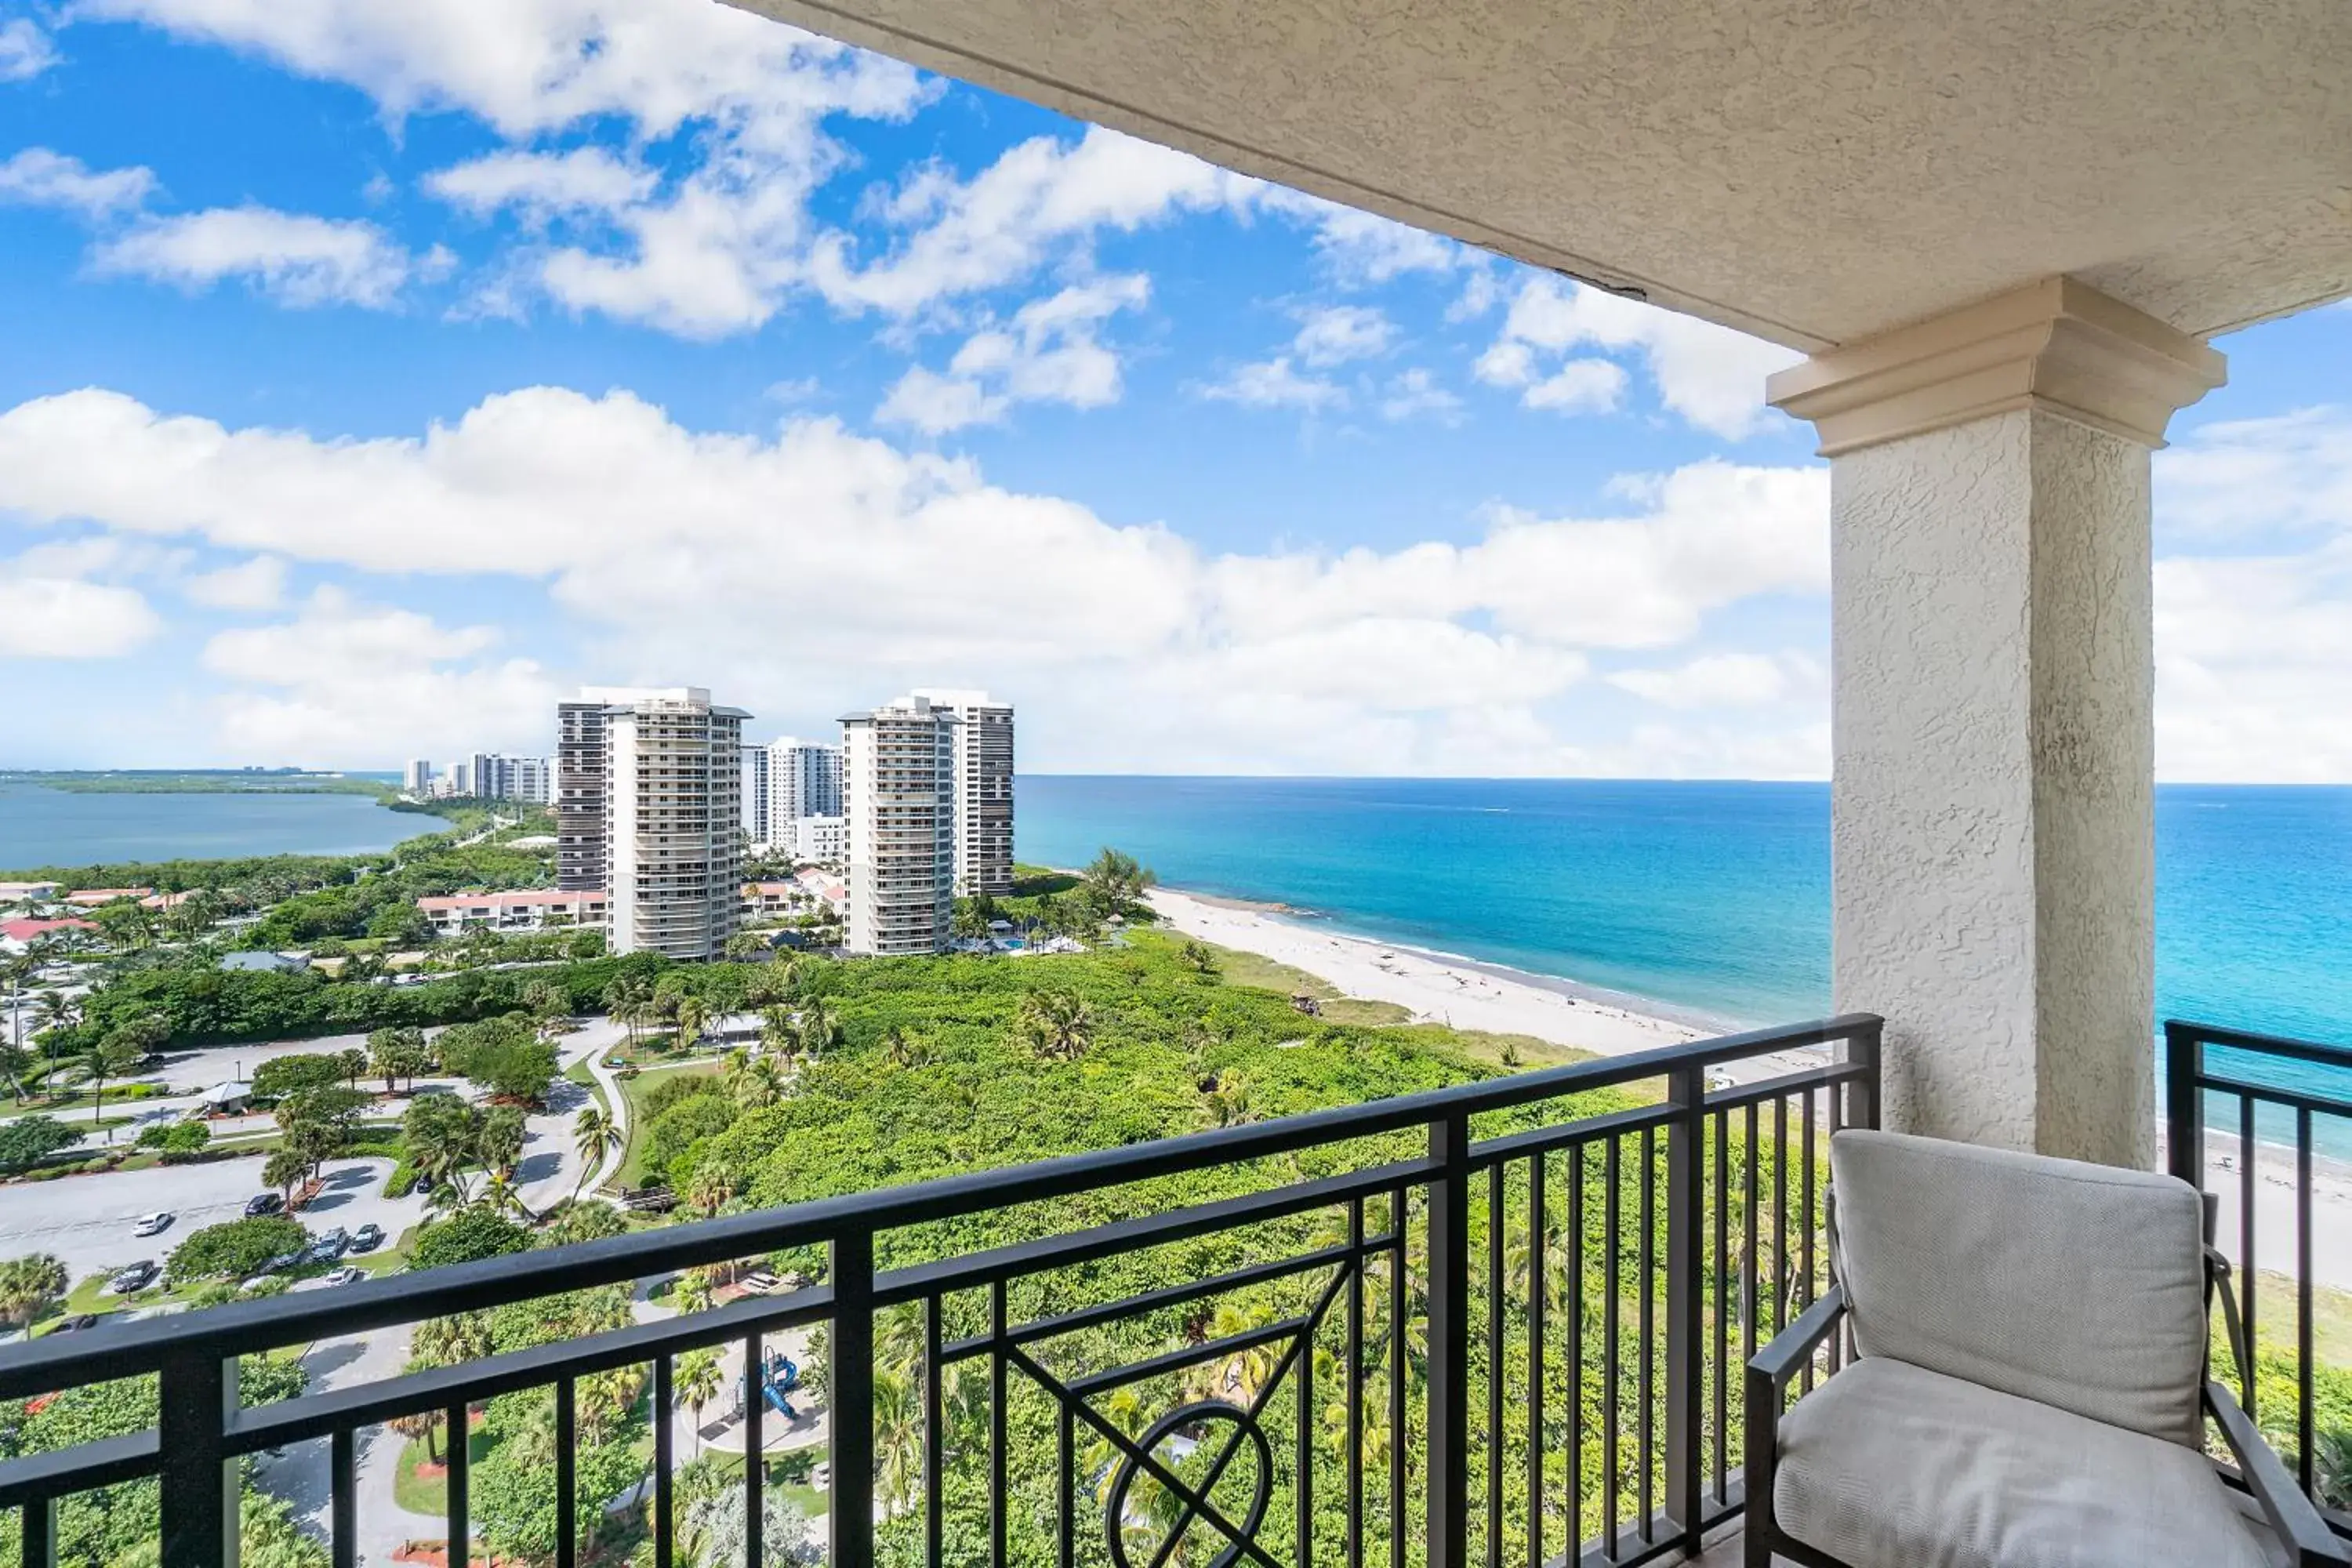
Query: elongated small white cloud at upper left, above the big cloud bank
(295,260)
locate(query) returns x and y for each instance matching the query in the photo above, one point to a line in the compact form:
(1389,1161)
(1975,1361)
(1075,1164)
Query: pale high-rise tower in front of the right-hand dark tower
(900,826)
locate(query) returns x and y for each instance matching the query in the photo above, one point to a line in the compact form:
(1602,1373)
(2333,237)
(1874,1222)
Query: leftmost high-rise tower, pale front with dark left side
(662,772)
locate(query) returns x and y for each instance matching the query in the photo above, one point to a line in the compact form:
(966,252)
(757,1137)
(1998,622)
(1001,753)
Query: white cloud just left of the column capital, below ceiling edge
(1709,375)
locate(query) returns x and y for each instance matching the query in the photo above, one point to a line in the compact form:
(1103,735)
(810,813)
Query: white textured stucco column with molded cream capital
(1993,847)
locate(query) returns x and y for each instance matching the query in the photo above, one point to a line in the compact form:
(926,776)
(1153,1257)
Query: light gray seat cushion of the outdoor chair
(1890,1466)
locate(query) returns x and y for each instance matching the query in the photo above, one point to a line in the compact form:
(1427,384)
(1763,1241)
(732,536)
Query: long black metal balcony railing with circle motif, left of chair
(1434,1329)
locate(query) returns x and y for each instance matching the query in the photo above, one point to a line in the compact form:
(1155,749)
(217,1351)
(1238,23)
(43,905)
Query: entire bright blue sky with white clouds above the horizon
(370,375)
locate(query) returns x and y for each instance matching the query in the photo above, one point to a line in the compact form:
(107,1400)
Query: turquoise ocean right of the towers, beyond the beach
(1706,897)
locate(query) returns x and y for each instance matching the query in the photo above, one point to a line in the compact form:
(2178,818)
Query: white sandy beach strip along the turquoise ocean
(1471,996)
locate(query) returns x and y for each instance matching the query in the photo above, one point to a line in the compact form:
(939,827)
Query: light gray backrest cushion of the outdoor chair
(2071,1285)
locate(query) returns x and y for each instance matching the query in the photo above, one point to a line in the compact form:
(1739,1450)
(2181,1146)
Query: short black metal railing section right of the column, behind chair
(2266,1094)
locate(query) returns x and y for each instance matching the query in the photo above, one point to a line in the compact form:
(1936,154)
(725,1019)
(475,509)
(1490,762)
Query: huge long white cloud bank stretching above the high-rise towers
(667,549)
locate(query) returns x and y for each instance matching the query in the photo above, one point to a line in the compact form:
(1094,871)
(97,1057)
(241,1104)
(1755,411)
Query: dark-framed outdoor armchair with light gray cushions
(2029,1381)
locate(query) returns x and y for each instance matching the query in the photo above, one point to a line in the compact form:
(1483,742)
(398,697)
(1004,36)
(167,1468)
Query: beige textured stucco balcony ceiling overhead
(1800,170)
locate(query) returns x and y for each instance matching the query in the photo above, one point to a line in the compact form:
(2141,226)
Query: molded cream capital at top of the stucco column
(2057,344)
